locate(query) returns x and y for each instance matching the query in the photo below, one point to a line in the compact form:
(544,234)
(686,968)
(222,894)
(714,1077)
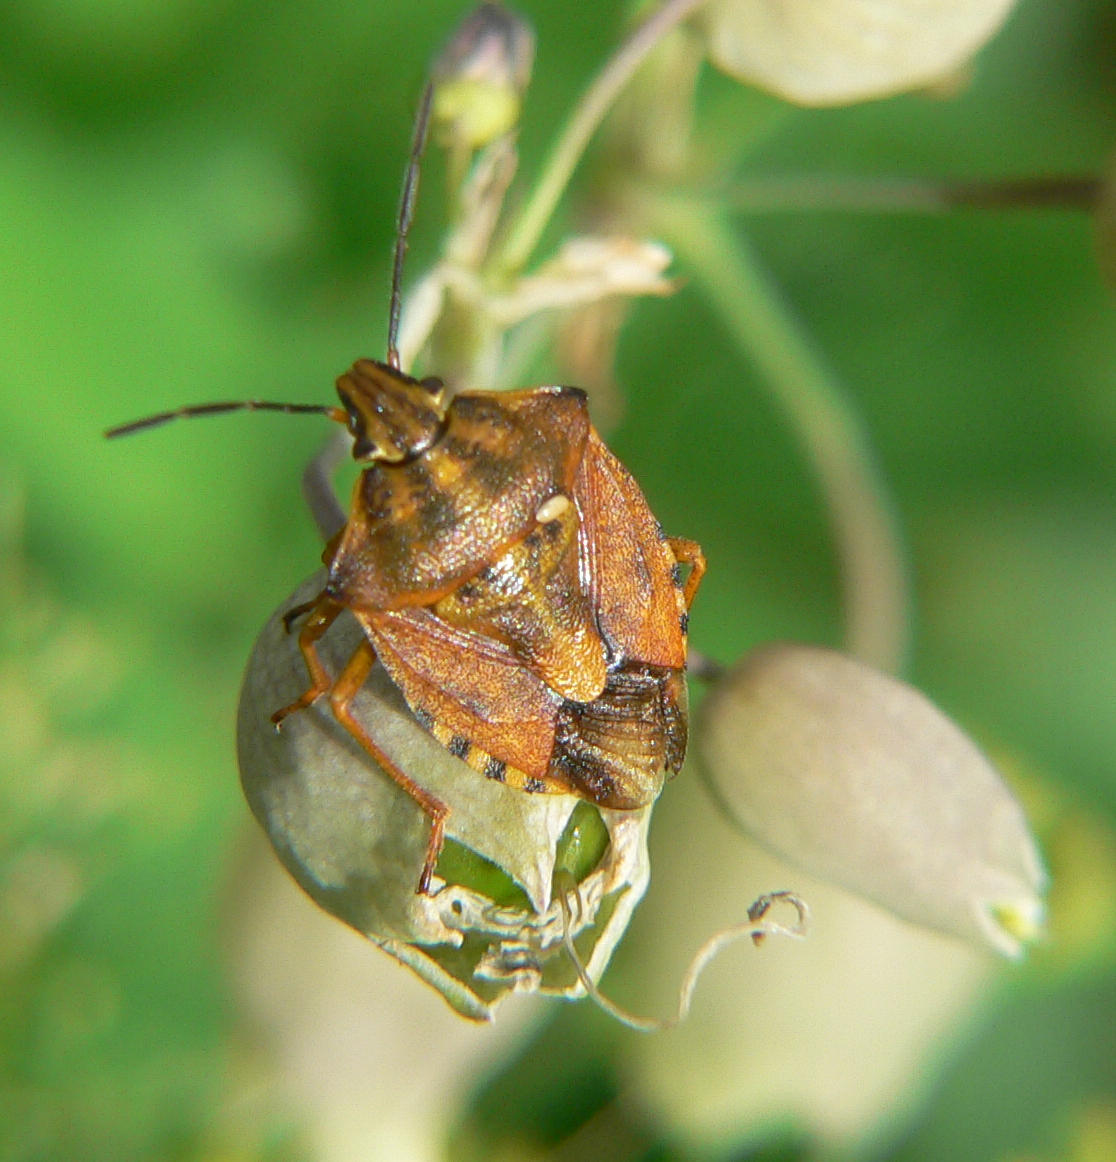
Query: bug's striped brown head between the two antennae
(392,418)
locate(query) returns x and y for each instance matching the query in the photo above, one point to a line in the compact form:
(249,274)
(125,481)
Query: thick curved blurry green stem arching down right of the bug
(766,332)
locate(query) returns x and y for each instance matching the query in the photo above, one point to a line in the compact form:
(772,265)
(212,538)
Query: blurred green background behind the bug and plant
(197,203)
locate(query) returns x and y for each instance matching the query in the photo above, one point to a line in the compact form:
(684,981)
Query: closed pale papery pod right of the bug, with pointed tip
(862,781)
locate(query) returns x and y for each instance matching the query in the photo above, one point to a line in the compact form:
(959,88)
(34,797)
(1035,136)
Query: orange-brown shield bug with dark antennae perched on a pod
(507,573)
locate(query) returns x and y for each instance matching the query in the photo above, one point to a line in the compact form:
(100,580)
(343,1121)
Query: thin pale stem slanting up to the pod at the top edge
(586,118)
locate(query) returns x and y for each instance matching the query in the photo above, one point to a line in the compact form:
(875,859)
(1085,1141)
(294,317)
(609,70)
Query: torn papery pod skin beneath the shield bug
(355,842)
